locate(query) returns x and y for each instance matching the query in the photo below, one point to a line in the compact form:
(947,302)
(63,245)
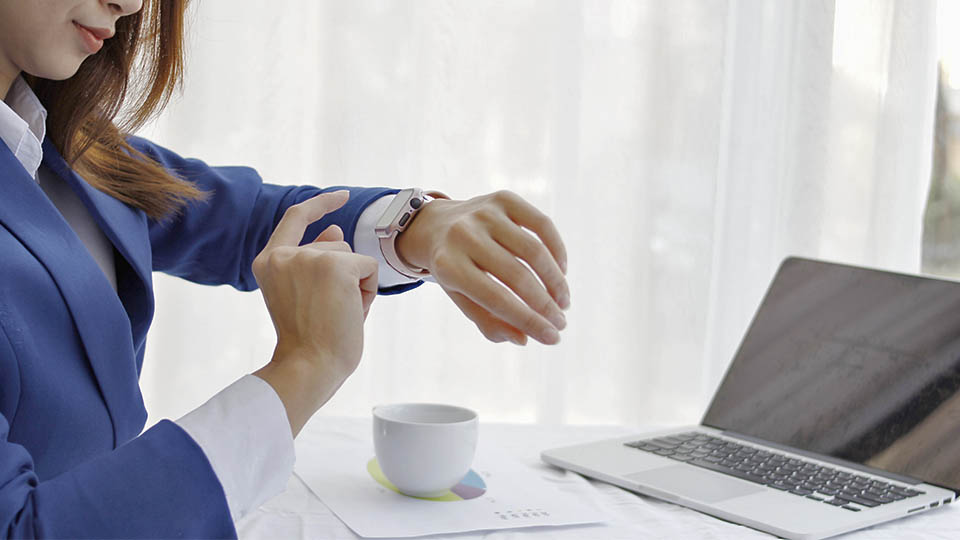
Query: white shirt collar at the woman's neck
(23,125)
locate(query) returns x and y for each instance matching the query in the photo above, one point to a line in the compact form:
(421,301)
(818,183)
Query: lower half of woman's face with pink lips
(50,38)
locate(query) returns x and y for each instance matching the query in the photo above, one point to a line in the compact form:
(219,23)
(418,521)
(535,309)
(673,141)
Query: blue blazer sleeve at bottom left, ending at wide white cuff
(106,496)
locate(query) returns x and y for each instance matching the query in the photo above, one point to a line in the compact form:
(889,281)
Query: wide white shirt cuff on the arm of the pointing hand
(245,434)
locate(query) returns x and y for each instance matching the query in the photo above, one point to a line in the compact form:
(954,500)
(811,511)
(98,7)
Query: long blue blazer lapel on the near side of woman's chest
(97,312)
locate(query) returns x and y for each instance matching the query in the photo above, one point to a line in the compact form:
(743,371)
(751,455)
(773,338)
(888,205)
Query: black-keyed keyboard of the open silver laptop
(797,476)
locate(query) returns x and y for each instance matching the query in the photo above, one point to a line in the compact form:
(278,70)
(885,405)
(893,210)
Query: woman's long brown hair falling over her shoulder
(112,94)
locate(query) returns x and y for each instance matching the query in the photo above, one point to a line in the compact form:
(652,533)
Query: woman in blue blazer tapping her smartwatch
(87,212)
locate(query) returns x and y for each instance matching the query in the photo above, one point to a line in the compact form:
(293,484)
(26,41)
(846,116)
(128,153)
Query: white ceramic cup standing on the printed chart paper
(424,449)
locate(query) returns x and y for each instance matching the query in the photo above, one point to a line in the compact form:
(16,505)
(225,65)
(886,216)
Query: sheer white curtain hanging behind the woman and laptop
(683,148)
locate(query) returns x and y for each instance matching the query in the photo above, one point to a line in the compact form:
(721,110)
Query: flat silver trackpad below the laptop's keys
(695,483)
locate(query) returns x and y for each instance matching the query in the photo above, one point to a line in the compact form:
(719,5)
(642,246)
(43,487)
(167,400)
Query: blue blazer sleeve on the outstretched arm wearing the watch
(215,241)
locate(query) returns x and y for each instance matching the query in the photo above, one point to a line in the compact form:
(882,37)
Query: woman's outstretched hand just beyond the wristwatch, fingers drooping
(465,244)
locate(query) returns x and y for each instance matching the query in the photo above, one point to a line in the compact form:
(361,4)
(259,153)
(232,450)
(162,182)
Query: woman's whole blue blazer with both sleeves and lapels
(73,461)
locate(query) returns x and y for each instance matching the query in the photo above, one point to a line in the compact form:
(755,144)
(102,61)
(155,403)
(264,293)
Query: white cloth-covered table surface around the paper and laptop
(298,513)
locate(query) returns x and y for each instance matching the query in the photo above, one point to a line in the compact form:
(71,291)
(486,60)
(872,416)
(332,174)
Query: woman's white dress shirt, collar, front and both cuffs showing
(243,430)
